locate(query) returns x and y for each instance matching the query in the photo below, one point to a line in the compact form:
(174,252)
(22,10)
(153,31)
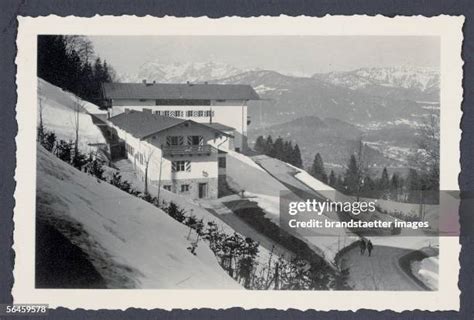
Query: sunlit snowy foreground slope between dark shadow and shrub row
(129,239)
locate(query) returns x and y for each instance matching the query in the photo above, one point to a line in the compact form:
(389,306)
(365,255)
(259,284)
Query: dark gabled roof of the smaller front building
(143,124)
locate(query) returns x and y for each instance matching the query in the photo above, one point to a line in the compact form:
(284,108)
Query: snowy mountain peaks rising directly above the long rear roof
(182,72)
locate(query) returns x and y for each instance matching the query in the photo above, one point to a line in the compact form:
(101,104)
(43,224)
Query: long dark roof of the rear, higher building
(179,91)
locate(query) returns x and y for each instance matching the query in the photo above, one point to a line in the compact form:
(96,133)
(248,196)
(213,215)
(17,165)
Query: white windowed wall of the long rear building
(232,113)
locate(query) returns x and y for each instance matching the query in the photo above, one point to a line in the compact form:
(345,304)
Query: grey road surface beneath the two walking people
(381,271)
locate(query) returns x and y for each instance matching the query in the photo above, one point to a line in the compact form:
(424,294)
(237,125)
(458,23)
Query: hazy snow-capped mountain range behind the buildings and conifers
(326,112)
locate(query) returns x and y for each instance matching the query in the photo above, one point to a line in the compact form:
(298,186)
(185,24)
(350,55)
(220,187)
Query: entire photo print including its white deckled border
(265,162)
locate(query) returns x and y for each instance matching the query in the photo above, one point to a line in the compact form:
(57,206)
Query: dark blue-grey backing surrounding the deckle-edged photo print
(10,9)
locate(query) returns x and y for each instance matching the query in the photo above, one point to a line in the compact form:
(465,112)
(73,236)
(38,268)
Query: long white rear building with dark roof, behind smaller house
(203,103)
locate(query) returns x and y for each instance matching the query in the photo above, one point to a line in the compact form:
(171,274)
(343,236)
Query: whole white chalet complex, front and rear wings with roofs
(177,135)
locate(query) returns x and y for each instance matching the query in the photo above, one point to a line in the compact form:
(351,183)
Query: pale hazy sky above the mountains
(296,55)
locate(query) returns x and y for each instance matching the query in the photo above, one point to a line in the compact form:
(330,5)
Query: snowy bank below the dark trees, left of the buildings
(57,108)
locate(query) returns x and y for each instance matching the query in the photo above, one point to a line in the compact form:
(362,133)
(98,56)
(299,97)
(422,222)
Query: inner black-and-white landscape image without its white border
(161,160)
